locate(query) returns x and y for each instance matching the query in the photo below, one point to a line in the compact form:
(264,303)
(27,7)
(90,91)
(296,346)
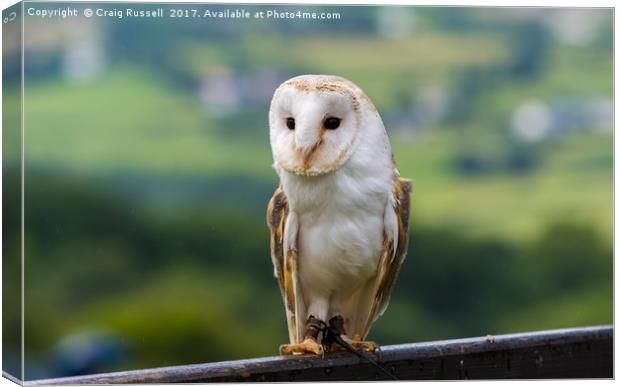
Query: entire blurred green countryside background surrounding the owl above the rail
(147,179)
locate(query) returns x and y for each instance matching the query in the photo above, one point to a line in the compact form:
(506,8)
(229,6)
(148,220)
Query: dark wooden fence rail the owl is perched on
(567,353)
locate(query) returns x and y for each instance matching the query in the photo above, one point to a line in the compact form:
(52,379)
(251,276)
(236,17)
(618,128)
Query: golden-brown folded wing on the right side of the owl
(395,249)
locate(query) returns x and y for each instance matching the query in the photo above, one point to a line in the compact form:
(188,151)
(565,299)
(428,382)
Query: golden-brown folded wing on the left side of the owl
(283,261)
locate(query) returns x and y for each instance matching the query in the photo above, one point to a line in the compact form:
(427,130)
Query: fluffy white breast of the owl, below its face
(340,215)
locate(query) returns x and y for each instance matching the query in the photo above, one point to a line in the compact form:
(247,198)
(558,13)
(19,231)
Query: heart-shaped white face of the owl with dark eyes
(314,124)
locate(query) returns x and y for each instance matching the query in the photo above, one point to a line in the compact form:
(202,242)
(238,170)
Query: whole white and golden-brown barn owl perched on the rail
(339,219)
